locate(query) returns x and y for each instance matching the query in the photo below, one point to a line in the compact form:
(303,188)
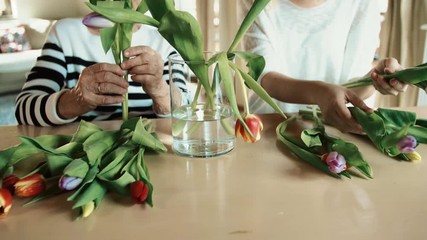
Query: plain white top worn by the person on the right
(333,42)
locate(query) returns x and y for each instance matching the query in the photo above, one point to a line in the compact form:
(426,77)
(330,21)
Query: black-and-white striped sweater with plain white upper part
(70,48)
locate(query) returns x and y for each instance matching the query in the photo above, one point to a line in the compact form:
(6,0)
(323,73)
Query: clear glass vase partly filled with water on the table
(202,121)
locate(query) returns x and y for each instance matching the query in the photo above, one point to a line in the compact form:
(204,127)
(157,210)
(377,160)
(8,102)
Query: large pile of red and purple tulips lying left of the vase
(86,165)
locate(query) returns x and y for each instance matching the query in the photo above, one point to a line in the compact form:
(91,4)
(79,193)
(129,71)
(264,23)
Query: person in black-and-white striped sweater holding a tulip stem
(74,79)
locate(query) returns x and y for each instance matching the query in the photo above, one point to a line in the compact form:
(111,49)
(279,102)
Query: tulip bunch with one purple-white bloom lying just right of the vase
(329,154)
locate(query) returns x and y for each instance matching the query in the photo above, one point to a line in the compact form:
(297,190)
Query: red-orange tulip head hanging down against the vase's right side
(254,124)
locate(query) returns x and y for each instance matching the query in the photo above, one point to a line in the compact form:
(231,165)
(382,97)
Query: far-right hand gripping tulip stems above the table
(387,86)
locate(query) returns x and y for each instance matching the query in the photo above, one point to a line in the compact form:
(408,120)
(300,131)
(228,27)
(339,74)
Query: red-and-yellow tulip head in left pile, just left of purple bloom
(30,186)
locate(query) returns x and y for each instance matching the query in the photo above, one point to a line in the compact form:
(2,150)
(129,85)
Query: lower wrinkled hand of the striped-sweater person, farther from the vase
(101,84)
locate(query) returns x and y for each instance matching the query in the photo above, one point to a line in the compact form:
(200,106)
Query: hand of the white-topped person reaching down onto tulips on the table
(332,101)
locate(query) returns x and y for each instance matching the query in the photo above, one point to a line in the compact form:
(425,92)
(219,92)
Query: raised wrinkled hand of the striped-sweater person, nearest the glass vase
(146,67)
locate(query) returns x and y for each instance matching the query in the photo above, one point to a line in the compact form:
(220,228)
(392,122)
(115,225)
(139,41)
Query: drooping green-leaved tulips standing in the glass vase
(183,32)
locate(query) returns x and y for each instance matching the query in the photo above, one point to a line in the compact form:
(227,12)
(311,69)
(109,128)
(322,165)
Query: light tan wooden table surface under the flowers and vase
(257,191)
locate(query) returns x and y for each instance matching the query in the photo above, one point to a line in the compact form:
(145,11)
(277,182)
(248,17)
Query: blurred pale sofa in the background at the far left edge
(16,63)
